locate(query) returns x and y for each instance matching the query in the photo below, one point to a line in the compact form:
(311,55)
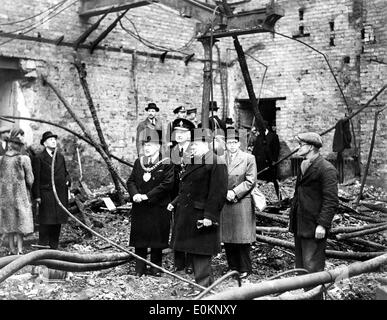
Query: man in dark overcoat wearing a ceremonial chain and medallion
(150,185)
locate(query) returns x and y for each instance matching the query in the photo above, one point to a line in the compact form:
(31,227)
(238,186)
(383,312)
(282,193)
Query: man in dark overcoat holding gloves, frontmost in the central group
(202,194)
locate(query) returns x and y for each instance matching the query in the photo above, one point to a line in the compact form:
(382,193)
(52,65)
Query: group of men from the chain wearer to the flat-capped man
(191,183)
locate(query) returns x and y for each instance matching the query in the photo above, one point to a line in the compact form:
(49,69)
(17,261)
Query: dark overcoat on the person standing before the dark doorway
(266,151)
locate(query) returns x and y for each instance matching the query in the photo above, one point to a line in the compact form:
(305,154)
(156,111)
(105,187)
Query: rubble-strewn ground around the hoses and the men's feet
(120,283)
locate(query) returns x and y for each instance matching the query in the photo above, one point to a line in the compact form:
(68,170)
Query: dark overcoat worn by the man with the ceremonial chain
(150,221)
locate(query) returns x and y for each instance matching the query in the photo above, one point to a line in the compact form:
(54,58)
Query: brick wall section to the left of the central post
(124,75)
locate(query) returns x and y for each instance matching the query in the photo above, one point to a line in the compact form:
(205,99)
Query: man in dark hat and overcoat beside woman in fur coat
(50,216)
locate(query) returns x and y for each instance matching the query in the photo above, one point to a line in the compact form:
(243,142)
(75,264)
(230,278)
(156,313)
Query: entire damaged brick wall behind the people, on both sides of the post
(152,55)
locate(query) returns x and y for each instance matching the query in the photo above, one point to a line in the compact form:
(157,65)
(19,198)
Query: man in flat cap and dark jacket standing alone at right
(315,202)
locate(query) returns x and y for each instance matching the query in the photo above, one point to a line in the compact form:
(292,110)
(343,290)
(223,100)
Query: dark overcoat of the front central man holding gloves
(202,193)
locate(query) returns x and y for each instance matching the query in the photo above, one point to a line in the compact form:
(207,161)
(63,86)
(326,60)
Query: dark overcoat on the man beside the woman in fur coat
(49,210)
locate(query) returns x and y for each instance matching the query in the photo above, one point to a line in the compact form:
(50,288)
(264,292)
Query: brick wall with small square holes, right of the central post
(340,30)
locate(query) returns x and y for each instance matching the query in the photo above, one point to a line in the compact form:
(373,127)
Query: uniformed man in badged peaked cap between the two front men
(181,157)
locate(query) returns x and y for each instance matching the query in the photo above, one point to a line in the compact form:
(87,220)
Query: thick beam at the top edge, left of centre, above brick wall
(91,8)
